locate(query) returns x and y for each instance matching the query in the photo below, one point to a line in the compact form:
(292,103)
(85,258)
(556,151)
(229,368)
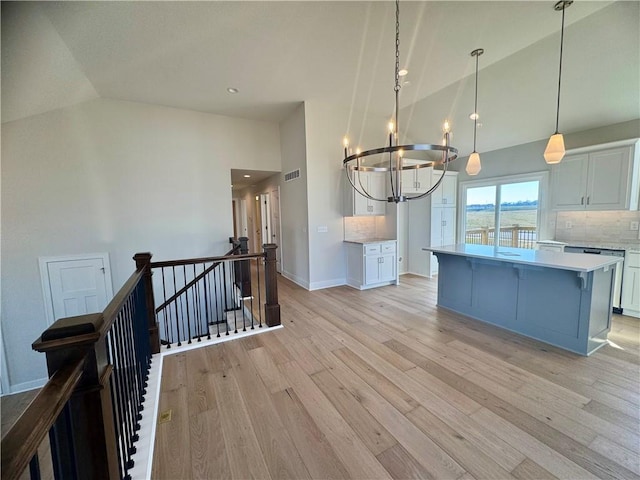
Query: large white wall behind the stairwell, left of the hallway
(119,177)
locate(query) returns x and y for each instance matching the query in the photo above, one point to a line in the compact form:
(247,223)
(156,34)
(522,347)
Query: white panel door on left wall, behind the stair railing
(75,285)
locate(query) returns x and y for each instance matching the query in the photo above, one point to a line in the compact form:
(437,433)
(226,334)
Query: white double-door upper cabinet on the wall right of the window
(597,178)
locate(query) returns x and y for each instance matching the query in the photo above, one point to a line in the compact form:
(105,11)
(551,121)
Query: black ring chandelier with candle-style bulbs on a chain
(354,162)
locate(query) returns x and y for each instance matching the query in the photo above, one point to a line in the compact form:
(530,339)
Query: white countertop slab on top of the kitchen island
(579,262)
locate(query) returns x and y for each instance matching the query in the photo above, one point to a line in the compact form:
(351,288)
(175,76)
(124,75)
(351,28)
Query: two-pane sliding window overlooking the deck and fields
(517,219)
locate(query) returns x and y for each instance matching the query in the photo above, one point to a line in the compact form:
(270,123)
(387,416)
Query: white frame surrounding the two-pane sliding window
(543,188)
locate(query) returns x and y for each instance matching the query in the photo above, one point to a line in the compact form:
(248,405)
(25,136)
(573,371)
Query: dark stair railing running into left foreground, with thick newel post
(91,406)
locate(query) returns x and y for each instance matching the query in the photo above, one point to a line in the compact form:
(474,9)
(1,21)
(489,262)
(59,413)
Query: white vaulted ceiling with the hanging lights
(278,54)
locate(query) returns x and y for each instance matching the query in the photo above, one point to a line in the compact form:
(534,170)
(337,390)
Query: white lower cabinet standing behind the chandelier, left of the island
(371,264)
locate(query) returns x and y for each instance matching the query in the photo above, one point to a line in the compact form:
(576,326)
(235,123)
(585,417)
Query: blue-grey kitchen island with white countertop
(563,299)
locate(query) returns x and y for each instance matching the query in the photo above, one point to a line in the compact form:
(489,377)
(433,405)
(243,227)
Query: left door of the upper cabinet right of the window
(569,183)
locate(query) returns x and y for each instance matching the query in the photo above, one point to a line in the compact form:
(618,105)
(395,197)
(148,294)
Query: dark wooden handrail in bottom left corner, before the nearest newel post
(21,442)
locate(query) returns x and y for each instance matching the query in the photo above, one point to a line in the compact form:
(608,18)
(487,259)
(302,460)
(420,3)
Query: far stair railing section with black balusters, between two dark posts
(215,296)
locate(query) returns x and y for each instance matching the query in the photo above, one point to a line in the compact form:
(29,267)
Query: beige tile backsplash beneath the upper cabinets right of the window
(597,228)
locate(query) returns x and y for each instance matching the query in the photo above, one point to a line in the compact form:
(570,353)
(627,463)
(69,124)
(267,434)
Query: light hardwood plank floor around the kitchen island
(382,384)
